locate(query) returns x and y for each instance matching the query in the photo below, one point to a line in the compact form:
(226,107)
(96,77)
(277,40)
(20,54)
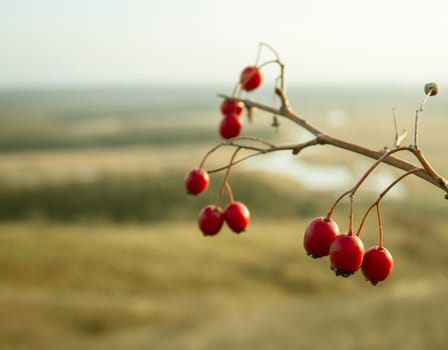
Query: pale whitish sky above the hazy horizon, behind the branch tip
(77,42)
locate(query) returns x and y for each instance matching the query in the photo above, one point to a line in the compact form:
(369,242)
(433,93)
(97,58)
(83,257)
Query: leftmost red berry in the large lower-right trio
(319,234)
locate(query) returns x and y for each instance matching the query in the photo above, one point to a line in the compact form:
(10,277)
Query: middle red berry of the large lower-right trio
(346,254)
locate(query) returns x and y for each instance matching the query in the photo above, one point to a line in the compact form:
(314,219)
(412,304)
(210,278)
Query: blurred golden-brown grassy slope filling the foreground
(164,286)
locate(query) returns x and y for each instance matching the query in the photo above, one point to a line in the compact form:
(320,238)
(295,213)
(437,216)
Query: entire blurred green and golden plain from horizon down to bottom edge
(99,245)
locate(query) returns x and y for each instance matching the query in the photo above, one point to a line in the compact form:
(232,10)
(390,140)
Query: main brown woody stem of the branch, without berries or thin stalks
(427,173)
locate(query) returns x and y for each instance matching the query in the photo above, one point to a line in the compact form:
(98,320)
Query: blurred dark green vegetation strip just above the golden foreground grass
(150,198)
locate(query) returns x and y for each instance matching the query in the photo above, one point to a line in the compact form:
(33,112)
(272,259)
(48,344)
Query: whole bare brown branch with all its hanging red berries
(322,236)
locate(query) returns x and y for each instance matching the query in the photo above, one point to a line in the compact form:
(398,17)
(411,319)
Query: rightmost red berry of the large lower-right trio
(377,264)
